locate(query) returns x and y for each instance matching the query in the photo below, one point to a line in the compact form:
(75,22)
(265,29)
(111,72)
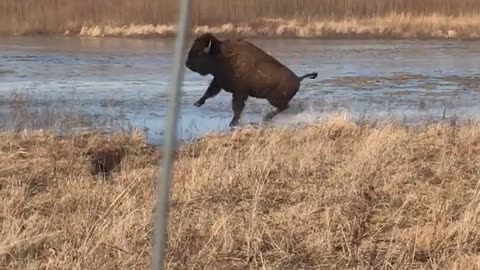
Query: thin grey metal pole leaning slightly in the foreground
(161,219)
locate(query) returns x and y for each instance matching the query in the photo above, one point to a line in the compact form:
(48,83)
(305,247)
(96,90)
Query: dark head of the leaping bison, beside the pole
(201,56)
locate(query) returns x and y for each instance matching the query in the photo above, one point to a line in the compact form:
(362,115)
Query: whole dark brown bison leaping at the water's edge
(244,70)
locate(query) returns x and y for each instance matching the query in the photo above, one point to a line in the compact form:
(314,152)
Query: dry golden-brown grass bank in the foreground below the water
(333,195)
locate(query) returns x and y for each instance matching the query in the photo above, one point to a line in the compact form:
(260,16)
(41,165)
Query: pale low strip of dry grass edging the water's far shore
(394,26)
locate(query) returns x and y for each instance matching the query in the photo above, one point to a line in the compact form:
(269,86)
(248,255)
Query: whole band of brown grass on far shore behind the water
(271,18)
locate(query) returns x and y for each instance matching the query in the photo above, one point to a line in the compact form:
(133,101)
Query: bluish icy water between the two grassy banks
(129,78)
